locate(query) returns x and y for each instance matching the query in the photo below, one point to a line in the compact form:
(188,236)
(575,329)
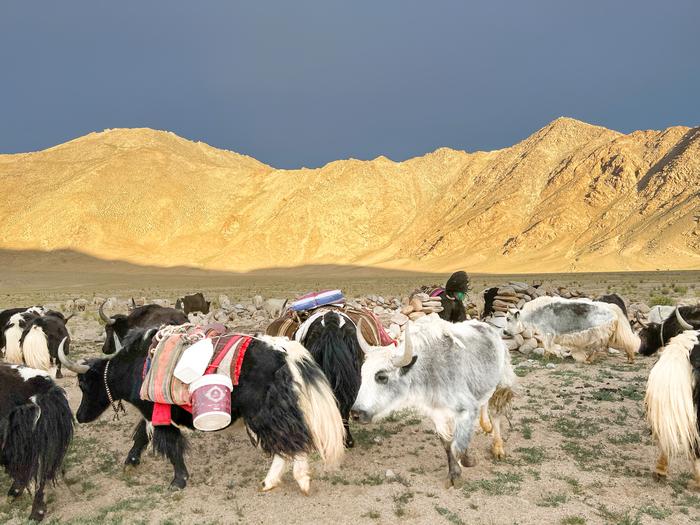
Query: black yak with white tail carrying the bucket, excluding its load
(282,396)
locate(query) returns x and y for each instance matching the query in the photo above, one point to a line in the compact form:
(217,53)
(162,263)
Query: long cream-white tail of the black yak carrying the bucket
(318,405)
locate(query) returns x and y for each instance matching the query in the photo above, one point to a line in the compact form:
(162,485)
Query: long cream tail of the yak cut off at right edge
(670,409)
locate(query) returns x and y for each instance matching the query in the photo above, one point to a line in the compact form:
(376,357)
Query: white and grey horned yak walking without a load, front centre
(447,371)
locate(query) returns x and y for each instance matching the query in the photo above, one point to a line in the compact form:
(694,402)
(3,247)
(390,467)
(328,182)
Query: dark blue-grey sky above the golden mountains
(300,83)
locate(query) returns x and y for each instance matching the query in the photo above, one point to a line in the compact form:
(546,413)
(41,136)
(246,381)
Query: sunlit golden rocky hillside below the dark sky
(571,197)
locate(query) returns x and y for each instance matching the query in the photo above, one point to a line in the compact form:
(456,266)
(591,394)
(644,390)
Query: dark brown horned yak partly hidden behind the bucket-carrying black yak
(148,316)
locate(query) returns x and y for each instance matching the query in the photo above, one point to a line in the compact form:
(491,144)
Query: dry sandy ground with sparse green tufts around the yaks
(578,448)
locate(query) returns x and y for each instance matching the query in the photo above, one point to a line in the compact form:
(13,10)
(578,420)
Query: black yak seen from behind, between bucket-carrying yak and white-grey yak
(332,342)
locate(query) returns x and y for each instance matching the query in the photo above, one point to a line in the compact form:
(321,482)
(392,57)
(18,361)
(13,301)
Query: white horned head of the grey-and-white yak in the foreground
(385,384)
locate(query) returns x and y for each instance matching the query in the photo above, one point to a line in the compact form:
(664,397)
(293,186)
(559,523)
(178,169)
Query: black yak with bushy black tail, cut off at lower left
(36,427)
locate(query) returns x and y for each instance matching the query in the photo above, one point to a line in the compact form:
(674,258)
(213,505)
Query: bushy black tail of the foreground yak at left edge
(35,437)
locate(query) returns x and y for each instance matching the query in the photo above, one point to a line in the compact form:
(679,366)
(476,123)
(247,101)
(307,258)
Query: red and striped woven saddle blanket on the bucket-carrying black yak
(161,386)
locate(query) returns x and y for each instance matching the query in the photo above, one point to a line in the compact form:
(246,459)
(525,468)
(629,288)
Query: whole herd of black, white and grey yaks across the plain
(297,395)
